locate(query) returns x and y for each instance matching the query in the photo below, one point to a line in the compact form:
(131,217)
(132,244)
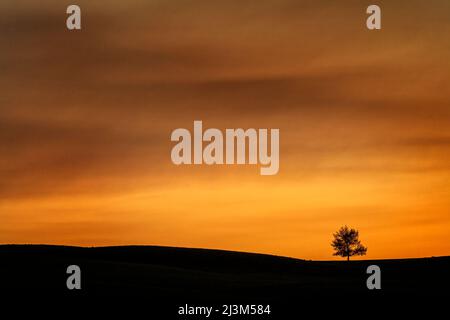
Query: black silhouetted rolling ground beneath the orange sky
(161,279)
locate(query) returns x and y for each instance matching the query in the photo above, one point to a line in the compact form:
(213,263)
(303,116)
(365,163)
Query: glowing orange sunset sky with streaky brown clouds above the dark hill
(364,119)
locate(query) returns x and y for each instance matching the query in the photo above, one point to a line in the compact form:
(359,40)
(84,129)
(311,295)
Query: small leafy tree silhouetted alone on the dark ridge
(346,243)
